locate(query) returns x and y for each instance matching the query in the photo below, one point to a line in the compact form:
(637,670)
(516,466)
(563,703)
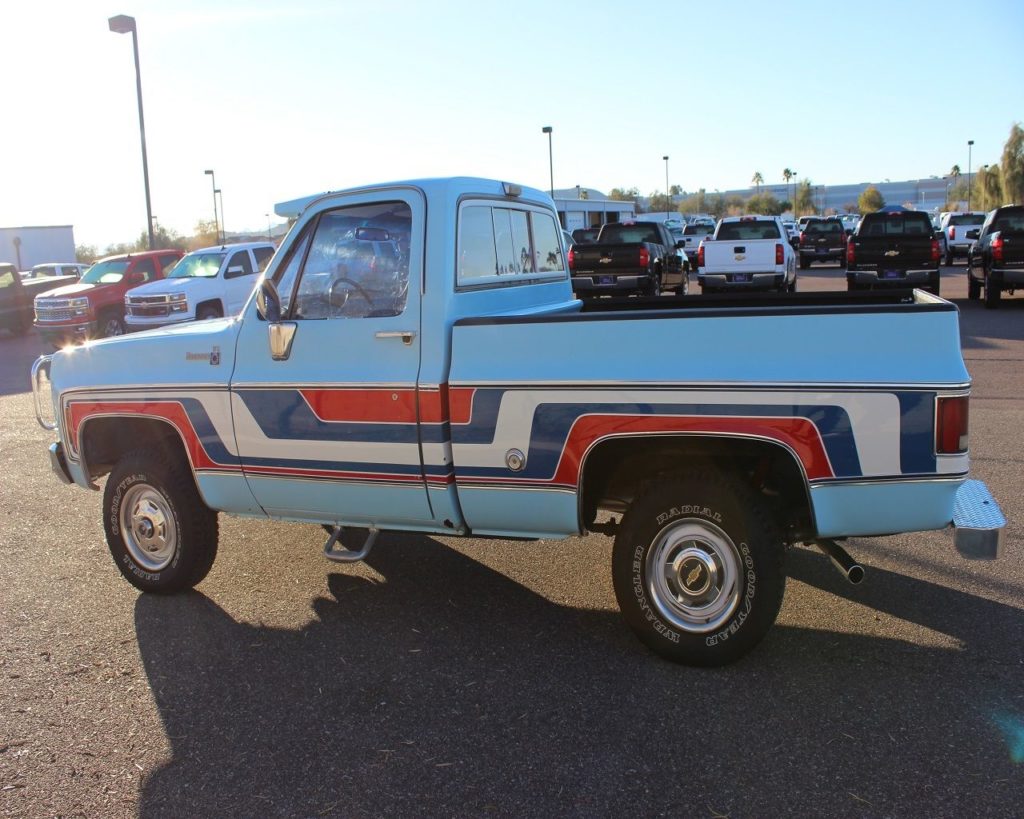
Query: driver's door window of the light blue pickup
(356,268)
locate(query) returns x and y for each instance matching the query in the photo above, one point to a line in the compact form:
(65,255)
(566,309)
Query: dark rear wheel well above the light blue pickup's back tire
(615,470)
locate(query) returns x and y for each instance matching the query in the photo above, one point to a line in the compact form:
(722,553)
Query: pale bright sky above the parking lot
(296,97)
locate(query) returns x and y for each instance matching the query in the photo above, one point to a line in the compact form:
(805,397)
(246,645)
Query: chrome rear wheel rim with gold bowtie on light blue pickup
(694,576)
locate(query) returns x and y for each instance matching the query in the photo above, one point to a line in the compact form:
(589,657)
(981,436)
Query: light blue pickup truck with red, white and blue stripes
(415,360)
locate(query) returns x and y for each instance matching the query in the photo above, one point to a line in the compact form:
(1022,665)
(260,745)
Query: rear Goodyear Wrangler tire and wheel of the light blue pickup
(698,570)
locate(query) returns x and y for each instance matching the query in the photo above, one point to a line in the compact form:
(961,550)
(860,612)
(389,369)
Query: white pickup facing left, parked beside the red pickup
(207,284)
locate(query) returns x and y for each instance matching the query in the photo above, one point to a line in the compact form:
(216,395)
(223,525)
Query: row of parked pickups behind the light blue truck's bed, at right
(893,248)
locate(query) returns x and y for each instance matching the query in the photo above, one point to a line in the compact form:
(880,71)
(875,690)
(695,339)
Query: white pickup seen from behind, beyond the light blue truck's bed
(748,253)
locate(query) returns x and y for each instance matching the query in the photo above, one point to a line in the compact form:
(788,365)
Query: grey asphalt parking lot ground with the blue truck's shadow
(471,678)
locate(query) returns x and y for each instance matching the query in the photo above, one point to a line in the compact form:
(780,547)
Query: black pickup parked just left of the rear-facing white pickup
(629,257)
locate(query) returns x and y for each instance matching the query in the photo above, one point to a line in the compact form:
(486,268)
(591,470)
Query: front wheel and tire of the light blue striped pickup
(162,537)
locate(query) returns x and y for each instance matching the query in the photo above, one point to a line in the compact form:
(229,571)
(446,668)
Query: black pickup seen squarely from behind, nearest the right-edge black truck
(893,249)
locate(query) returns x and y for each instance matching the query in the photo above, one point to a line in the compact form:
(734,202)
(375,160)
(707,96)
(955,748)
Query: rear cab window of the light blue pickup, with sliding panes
(499,244)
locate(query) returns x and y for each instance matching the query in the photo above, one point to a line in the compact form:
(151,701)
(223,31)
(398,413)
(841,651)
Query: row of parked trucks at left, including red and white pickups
(139,291)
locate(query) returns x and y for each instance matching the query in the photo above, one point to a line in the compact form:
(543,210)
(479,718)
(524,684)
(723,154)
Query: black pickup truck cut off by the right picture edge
(996,261)
